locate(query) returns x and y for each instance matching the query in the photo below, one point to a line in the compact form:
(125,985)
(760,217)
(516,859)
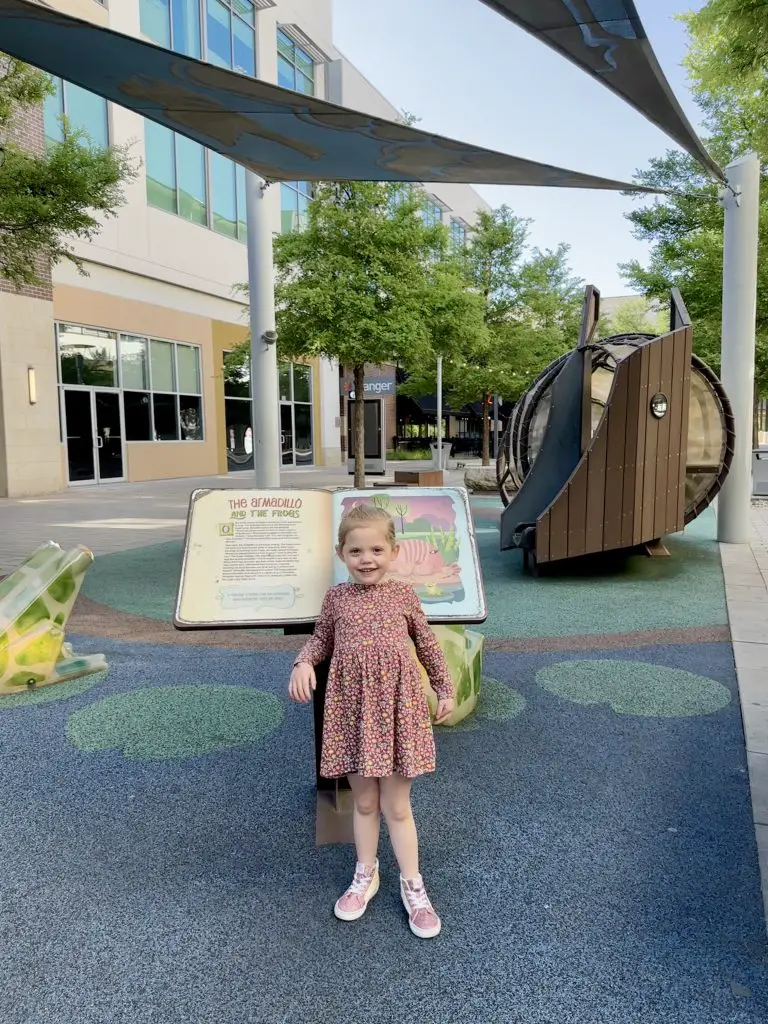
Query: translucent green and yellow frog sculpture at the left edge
(36,602)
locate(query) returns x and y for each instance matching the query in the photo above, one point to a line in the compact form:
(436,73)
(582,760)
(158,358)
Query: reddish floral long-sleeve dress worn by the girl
(377,720)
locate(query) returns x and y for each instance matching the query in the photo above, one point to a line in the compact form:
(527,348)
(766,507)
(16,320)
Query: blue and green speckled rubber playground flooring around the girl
(587,839)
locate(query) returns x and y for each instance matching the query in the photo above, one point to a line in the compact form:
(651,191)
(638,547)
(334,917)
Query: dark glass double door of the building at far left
(95,436)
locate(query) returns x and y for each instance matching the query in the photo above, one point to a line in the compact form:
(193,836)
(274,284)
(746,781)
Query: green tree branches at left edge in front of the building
(49,200)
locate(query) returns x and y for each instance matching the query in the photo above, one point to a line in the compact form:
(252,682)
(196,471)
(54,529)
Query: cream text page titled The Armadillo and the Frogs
(255,559)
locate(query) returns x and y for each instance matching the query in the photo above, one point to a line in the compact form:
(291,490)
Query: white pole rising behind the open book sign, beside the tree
(265,394)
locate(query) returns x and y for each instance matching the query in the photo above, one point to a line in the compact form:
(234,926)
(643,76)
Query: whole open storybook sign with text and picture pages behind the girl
(267,559)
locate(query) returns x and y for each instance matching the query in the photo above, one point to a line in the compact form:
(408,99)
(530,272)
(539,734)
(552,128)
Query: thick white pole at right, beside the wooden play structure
(738,360)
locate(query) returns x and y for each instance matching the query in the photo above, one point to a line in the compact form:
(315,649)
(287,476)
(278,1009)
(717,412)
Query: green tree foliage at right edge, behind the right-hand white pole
(729,65)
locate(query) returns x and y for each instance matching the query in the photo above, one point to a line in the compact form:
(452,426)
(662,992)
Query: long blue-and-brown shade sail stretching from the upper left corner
(280,135)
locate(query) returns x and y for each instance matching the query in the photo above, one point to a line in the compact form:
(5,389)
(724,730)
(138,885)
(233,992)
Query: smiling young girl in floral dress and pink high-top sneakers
(377,729)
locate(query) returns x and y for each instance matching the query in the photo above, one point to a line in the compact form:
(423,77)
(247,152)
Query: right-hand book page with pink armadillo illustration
(438,548)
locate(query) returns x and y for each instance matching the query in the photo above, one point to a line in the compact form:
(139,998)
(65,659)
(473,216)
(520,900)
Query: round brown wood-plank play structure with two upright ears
(615,446)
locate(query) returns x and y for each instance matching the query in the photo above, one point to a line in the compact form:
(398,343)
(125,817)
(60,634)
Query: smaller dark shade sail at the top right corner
(607,39)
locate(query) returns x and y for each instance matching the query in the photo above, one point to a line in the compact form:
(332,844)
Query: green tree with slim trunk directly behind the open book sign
(352,286)
